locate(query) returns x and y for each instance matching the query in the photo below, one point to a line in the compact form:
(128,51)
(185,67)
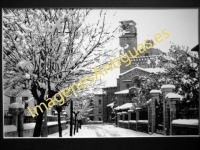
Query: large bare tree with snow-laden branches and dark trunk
(45,49)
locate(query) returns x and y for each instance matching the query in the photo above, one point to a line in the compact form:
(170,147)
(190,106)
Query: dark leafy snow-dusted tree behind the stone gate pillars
(181,71)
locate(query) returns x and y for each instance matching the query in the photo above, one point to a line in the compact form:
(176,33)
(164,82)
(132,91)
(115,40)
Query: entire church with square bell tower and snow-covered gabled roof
(152,60)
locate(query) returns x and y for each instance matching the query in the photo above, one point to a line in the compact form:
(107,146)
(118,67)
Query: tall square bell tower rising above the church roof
(128,40)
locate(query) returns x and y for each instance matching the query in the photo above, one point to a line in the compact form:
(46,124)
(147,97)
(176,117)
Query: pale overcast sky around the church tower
(181,24)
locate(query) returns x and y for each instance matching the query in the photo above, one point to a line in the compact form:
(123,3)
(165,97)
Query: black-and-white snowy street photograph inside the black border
(100,72)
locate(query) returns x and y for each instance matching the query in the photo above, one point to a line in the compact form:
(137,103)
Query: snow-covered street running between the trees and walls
(100,130)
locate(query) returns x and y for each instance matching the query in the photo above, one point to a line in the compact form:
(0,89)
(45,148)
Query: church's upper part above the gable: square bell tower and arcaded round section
(150,58)
